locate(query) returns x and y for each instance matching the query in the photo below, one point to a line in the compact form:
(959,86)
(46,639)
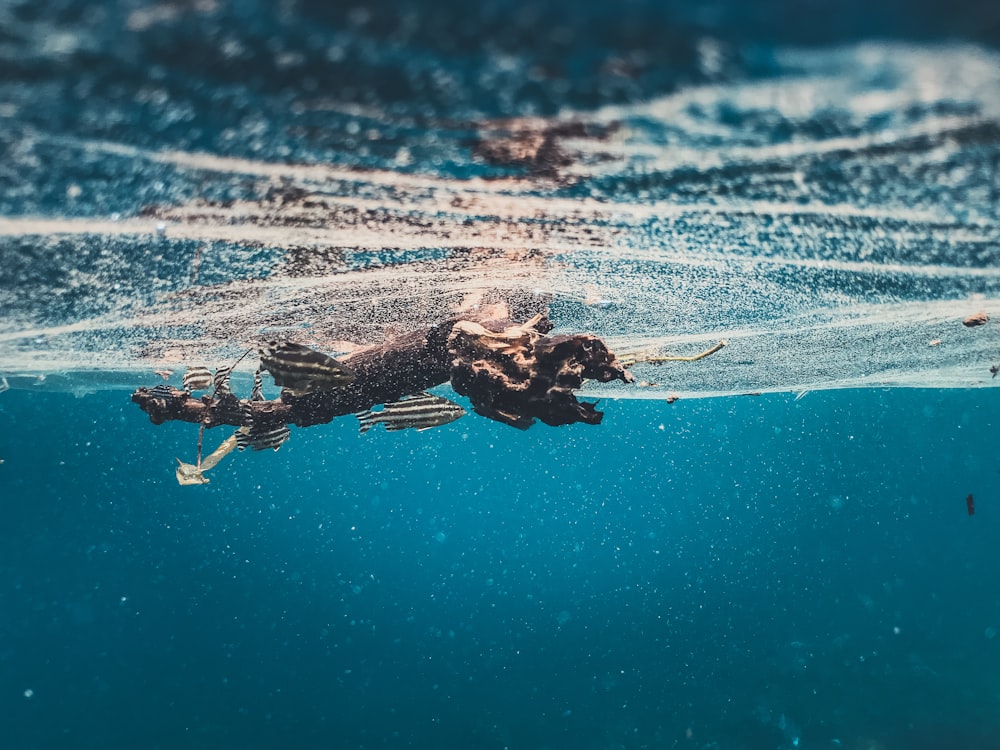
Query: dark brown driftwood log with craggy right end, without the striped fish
(511,373)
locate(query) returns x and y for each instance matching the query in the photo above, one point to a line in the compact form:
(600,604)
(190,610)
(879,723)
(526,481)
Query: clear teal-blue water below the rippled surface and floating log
(724,573)
